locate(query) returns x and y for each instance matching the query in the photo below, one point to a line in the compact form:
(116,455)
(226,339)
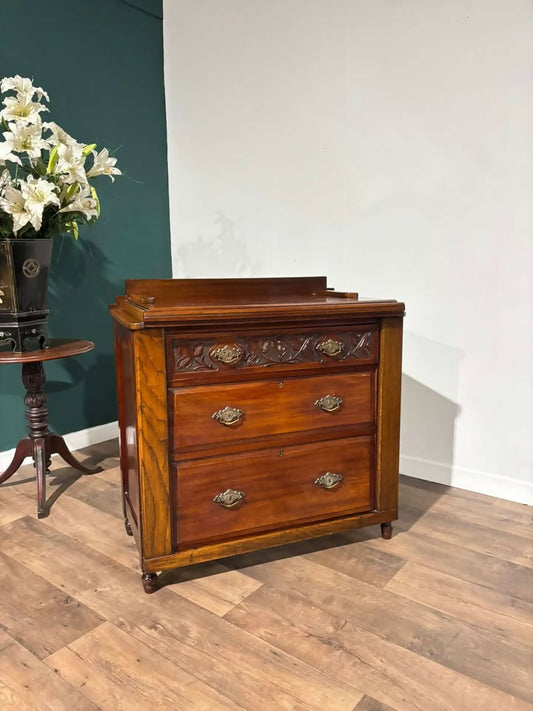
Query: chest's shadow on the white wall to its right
(428,432)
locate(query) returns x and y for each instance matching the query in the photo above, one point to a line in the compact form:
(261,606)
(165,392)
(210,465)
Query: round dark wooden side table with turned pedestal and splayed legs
(41,443)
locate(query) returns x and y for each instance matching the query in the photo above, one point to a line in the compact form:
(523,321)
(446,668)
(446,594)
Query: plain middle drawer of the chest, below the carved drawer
(226,413)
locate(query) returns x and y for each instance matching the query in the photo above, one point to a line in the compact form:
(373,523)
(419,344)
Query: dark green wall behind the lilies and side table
(101,62)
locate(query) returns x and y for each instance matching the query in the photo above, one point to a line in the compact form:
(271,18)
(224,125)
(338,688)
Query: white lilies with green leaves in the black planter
(45,187)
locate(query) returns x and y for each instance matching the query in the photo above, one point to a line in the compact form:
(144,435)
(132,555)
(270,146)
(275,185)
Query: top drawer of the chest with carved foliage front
(254,354)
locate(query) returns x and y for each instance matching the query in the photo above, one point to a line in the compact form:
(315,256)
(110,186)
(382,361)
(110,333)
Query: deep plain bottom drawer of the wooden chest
(272,489)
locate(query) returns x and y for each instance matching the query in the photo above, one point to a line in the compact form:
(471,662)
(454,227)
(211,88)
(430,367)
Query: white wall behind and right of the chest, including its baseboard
(387,145)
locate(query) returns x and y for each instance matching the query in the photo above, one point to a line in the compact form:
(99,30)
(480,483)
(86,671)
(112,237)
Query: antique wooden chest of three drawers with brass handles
(253,412)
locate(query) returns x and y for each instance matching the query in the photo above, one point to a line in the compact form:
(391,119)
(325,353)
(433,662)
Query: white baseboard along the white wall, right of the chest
(498,485)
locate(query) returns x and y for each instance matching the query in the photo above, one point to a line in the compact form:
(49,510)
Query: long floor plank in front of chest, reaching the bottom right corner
(392,675)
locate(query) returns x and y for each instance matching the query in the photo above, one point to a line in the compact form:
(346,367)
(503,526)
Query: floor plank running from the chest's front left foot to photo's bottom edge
(251,672)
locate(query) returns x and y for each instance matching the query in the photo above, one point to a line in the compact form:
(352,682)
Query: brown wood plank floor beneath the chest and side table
(438,618)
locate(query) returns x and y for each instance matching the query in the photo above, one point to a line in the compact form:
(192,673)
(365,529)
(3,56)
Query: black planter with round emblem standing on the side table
(24,267)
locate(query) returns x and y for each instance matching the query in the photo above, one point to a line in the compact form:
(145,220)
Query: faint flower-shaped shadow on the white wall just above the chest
(224,254)
